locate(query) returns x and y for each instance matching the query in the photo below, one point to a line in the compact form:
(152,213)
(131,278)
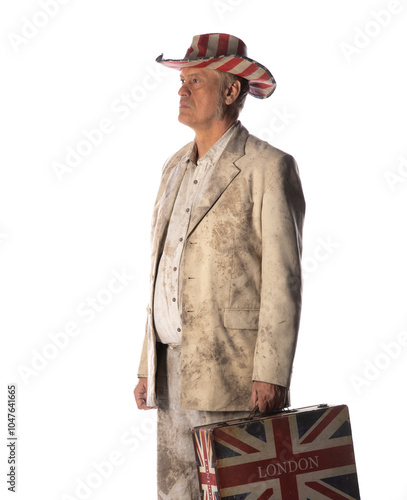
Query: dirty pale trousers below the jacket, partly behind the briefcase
(177,476)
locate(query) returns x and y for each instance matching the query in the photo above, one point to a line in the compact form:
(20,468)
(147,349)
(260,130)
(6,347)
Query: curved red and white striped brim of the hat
(261,81)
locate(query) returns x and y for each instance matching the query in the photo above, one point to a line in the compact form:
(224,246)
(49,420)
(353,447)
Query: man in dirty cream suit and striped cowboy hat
(226,277)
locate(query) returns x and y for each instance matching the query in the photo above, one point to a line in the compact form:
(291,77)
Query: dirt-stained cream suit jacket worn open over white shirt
(241,276)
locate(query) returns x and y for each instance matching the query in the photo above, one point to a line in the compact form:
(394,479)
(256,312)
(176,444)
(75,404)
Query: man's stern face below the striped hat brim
(199,98)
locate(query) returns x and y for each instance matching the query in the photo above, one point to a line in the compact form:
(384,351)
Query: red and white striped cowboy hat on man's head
(225,53)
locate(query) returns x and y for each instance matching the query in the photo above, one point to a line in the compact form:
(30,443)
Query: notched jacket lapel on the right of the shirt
(224,173)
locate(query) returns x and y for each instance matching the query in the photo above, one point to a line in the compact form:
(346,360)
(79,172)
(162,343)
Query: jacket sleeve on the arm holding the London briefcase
(283,210)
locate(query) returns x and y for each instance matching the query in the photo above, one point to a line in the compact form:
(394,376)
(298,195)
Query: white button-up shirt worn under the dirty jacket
(167,307)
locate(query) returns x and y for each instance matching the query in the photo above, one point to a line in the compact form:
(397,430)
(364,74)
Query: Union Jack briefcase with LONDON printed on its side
(303,454)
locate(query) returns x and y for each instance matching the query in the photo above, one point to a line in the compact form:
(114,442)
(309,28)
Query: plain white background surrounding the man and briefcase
(340,108)
